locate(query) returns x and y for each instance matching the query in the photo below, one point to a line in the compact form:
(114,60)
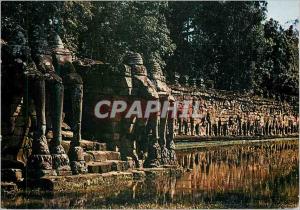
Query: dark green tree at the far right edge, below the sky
(282,58)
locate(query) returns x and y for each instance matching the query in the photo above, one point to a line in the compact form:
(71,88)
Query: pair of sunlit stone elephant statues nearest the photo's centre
(152,139)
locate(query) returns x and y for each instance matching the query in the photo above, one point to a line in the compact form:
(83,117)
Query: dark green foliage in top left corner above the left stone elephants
(71,16)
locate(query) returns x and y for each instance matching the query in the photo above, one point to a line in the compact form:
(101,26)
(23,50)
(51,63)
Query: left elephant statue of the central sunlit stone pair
(143,89)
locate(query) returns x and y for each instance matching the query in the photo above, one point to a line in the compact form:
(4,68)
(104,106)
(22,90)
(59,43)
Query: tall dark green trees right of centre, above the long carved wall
(224,41)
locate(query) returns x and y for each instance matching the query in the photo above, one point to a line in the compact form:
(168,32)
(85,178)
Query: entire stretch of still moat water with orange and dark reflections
(256,175)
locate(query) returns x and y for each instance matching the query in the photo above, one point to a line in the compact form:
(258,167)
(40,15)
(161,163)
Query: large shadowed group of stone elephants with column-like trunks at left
(48,75)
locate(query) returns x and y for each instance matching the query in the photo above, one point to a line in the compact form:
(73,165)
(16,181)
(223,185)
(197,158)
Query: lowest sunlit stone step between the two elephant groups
(107,166)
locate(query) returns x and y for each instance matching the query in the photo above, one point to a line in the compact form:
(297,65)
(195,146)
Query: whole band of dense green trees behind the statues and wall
(230,45)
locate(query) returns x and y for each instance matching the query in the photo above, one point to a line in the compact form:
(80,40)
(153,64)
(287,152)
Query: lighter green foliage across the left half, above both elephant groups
(98,30)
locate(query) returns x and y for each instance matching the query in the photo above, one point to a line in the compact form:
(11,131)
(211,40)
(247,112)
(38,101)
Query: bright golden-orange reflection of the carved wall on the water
(235,167)
